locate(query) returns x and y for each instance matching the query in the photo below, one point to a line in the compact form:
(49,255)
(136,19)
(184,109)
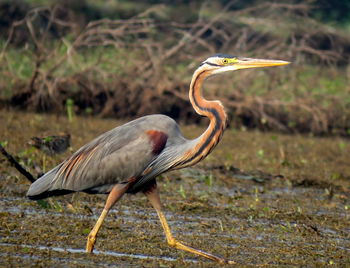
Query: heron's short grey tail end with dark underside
(42,187)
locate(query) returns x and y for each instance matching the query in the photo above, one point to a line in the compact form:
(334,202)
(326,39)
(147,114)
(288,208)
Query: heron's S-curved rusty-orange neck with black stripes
(214,110)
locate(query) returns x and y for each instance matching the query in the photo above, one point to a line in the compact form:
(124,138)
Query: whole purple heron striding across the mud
(128,158)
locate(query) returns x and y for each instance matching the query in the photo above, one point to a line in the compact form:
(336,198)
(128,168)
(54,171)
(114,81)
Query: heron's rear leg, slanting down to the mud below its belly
(115,194)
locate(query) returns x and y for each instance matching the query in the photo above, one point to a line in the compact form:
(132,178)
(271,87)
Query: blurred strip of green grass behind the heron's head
(287,83)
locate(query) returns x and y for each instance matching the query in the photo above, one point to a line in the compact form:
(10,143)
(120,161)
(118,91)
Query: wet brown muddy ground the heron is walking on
(259,199)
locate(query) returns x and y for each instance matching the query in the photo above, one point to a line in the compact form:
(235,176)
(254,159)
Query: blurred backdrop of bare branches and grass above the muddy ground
(124,59)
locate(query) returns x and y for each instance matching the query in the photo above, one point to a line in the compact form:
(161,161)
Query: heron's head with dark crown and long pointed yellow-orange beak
(221,63)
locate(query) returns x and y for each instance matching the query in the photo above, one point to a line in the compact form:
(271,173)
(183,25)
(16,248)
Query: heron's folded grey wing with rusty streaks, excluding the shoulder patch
(114,157)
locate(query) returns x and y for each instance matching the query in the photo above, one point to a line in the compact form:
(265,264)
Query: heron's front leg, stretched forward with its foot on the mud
(153,197)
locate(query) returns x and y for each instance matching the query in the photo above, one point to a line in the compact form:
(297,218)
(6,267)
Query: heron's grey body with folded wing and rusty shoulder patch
(140,149)
